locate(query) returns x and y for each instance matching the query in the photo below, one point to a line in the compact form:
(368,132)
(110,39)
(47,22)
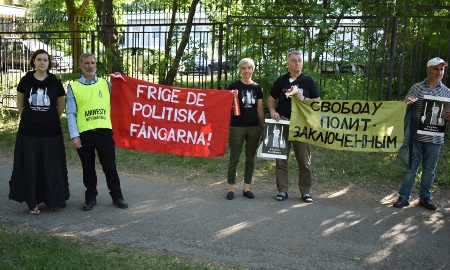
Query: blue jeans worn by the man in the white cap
(427,154)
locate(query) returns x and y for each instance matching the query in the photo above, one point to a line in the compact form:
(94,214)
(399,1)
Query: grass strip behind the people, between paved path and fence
(330,167)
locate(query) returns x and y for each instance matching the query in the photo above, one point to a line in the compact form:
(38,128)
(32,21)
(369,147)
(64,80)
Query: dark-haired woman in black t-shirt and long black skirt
(40,171)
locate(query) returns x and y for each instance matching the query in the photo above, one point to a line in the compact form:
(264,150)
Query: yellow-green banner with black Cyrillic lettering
(356,125)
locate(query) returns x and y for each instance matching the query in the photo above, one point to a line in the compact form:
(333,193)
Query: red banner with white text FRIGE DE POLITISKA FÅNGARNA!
(164,119)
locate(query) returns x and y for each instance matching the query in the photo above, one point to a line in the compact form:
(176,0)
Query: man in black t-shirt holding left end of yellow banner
(307,89)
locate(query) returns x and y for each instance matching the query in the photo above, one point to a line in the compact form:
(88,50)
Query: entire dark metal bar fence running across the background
(366,57)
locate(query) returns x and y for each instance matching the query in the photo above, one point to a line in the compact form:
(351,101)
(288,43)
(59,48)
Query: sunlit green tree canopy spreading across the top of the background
(267,29)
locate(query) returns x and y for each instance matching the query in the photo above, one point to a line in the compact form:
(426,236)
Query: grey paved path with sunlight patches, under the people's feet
(334,232)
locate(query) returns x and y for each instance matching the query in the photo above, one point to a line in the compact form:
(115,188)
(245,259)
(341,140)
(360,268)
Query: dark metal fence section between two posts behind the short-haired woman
(343,66)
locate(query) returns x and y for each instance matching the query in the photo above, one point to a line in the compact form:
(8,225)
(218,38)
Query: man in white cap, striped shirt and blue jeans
(425,148)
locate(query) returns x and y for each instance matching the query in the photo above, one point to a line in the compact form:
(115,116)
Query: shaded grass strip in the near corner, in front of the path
(24,247)
